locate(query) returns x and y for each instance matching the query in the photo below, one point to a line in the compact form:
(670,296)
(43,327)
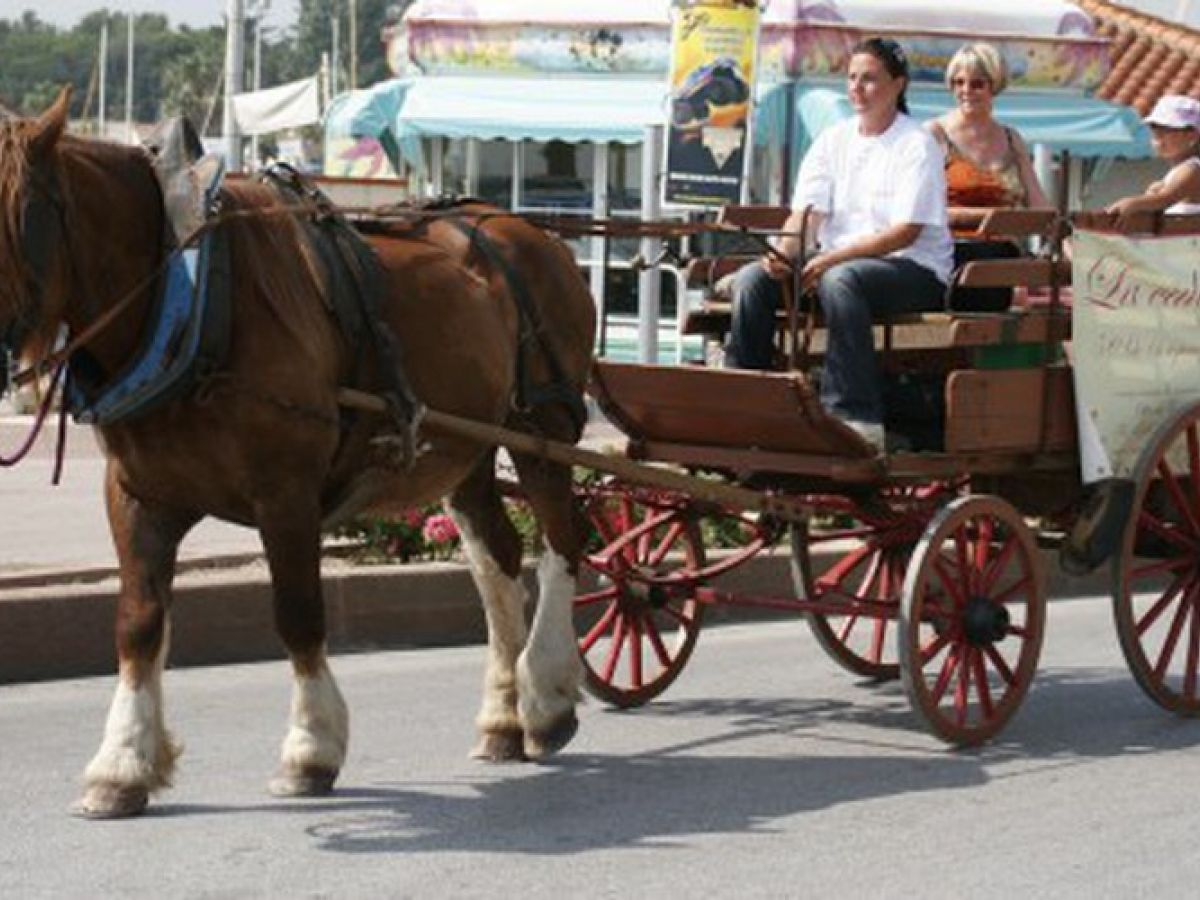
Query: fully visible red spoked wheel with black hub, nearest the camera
(971,620)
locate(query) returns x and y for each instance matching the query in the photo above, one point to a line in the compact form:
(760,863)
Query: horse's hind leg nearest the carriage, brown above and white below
(550,671)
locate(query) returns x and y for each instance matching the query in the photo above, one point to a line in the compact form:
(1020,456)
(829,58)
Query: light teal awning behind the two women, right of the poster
(1084,127)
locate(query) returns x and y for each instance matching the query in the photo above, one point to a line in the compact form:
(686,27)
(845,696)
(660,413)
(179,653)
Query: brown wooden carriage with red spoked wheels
(932,565)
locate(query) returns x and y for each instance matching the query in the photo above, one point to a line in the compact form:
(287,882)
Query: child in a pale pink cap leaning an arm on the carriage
(1175,131)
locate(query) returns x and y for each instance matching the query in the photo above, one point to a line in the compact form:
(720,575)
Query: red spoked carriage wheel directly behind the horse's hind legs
(638,617)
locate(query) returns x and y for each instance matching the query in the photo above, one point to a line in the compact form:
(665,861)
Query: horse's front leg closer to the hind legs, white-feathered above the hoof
(319,725)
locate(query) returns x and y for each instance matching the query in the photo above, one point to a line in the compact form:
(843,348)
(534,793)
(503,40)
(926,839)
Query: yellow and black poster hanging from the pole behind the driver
(711,81)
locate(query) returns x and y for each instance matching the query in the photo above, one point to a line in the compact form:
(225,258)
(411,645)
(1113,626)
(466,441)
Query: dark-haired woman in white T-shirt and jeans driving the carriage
(875,190)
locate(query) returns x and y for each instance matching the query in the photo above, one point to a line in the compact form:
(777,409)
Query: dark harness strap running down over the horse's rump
(531,331)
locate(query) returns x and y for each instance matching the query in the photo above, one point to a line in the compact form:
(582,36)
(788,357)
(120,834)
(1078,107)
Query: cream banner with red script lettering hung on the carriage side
(1136,329)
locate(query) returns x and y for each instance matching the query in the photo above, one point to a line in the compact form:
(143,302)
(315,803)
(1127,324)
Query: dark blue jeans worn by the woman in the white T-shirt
(853,296)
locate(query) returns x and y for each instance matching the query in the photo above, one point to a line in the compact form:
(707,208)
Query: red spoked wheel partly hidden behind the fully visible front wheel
(873,544)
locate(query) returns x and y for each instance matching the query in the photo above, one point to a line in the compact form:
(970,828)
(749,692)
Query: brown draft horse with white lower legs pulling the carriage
(265,442)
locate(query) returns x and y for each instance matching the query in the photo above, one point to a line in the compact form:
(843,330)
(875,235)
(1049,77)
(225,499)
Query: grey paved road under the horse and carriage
(765,772)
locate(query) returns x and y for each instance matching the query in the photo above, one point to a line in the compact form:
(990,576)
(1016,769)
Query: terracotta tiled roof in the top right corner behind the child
(1151,57)
